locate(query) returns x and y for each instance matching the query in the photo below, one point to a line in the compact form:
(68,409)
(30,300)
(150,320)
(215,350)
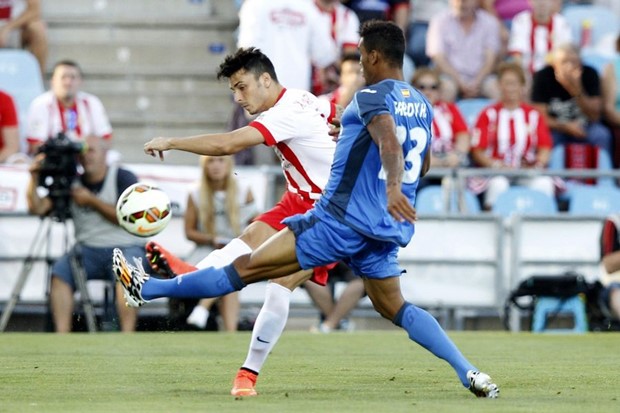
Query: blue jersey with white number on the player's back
(356,191)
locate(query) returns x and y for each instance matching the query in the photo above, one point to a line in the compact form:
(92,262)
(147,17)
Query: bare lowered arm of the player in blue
(383,131)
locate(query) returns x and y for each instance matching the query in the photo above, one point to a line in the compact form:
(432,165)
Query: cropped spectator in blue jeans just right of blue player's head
(420,14)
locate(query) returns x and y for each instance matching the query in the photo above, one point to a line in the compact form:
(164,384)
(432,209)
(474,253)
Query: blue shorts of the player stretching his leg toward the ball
(326,240)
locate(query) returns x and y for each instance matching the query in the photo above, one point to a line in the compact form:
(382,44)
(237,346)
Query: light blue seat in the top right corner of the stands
(602,20)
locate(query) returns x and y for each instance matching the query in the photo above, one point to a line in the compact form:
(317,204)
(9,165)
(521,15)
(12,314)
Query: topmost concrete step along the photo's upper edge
(146,11)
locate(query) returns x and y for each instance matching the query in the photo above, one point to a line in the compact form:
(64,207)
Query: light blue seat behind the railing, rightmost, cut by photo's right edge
(594,200)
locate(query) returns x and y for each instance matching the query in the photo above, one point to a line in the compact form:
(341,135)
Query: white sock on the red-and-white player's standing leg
(269,325)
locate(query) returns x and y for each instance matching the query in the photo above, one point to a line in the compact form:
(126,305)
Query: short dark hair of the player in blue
(386,38)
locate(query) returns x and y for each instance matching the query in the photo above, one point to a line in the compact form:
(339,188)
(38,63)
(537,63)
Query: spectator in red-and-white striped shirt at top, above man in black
(535,33)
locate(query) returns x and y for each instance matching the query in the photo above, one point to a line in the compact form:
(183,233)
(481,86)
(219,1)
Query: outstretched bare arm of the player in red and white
(214,144)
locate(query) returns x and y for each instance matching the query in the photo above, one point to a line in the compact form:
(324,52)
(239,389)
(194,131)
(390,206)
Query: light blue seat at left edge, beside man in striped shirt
(20,76)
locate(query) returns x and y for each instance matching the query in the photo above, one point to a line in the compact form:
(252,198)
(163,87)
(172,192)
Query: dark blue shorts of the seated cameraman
(97,263)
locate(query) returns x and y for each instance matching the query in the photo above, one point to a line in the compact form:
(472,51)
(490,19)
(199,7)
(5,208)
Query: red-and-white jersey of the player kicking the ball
(297,128)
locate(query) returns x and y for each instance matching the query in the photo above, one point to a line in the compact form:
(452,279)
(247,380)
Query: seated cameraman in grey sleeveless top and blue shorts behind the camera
(92,203)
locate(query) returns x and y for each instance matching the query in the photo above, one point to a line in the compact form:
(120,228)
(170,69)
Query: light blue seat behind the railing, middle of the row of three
(521,200)
